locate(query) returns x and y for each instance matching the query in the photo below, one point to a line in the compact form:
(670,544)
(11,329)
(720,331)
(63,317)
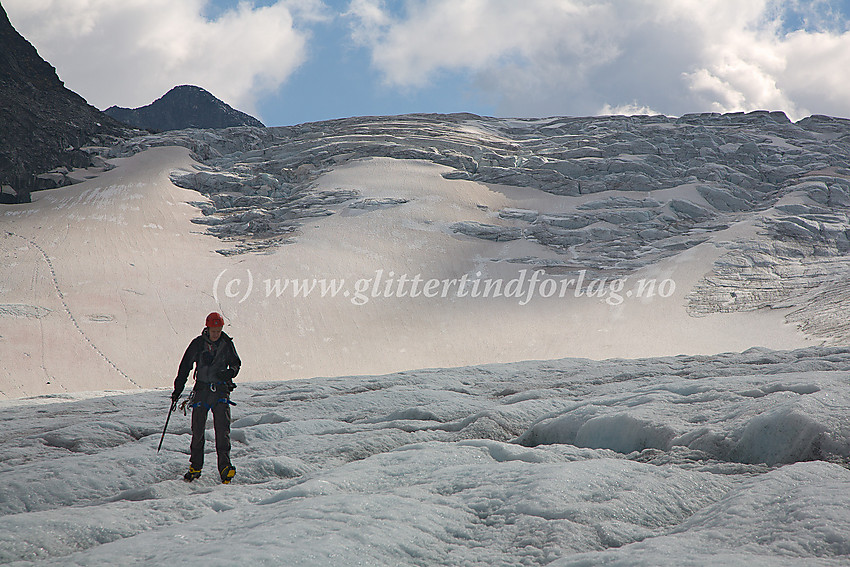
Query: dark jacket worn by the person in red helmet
(215,362)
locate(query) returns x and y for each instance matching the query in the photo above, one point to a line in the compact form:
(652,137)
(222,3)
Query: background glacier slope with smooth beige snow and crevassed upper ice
(536,239)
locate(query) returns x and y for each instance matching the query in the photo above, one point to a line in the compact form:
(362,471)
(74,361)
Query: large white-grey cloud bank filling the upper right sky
(544,57)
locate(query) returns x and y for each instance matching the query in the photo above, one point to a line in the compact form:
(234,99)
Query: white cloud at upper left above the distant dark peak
(130,52)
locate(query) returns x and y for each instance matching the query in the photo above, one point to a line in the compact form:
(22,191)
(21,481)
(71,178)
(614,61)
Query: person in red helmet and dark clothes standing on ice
(216,365)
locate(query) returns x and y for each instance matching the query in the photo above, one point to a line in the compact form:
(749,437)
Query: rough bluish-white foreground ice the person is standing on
(688,460)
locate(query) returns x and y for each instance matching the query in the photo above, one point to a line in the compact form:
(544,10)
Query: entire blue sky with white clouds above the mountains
(293,61)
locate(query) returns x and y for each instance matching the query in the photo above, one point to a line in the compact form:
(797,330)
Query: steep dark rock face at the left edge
(43,125)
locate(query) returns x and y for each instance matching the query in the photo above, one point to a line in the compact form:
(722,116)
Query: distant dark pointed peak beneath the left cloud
(183,107)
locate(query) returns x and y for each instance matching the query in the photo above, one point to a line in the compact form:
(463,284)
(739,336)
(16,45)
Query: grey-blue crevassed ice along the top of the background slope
(772,195)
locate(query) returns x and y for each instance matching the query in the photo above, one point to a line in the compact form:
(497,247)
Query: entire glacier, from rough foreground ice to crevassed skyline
(379,245)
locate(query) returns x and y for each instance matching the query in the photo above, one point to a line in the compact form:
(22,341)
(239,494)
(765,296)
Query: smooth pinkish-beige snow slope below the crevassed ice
(115,273)
